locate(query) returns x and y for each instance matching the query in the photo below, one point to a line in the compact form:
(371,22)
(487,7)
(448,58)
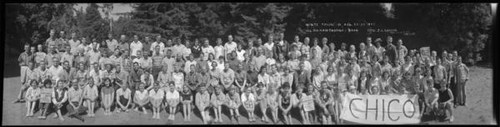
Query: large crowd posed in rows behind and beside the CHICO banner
(252,77)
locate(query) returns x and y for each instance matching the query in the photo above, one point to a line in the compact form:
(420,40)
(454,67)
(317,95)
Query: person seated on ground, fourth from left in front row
(75,98)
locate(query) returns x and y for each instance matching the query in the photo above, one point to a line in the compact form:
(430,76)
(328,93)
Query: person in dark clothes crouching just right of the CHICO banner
(444,101)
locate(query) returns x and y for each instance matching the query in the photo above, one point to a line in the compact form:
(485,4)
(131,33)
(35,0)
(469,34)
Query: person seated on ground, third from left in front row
(59,97)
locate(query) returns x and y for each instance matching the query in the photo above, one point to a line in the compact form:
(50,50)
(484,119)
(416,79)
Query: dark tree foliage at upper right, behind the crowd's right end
(462,27)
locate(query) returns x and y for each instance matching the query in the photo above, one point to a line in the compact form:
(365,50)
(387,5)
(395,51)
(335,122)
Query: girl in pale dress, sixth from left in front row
(108,94)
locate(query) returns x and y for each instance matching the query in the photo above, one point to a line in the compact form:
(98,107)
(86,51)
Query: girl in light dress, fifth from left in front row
(90,95)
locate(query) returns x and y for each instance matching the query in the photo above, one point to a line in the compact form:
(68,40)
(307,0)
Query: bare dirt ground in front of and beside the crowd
(479,108)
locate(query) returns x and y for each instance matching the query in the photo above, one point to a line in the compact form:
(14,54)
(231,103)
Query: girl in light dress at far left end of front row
(32,96)
